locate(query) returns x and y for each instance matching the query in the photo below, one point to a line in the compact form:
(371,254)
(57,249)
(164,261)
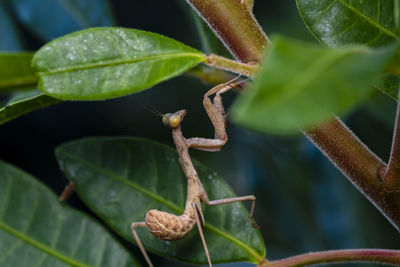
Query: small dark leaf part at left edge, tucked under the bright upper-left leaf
(24,102)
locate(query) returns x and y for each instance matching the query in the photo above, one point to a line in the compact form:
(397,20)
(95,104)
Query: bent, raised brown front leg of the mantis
(216,112)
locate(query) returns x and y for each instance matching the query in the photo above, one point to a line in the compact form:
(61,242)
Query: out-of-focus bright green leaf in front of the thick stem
(302,84)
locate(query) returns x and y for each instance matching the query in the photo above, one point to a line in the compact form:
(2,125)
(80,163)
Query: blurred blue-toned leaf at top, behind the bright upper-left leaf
(51,19)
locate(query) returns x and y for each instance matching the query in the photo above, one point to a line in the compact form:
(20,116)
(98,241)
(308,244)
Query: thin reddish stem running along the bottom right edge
(391,257)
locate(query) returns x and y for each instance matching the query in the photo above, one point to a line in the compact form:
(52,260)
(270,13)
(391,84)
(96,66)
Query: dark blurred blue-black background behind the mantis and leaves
(303,203)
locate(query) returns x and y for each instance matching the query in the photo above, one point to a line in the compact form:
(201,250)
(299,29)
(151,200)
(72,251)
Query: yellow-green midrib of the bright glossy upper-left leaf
(117,62)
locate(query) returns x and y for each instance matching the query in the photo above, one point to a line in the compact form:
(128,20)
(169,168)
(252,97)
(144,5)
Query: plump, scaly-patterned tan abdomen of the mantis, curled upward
(168,226)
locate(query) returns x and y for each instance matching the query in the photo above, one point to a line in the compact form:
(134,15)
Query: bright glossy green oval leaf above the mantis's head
(102,63)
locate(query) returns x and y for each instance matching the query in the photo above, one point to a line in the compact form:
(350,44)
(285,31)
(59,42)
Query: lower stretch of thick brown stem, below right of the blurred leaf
(362,167)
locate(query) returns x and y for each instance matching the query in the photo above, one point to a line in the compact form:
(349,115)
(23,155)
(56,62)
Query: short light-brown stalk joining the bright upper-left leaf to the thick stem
(231,65)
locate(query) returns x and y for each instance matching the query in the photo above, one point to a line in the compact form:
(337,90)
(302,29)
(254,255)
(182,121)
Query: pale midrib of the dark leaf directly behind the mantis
(167,203)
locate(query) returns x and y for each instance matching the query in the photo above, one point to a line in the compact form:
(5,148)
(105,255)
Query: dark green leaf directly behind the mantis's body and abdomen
(120,179)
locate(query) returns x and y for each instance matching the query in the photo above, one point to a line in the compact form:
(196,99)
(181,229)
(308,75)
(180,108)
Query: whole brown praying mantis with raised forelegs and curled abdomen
(171,227)
